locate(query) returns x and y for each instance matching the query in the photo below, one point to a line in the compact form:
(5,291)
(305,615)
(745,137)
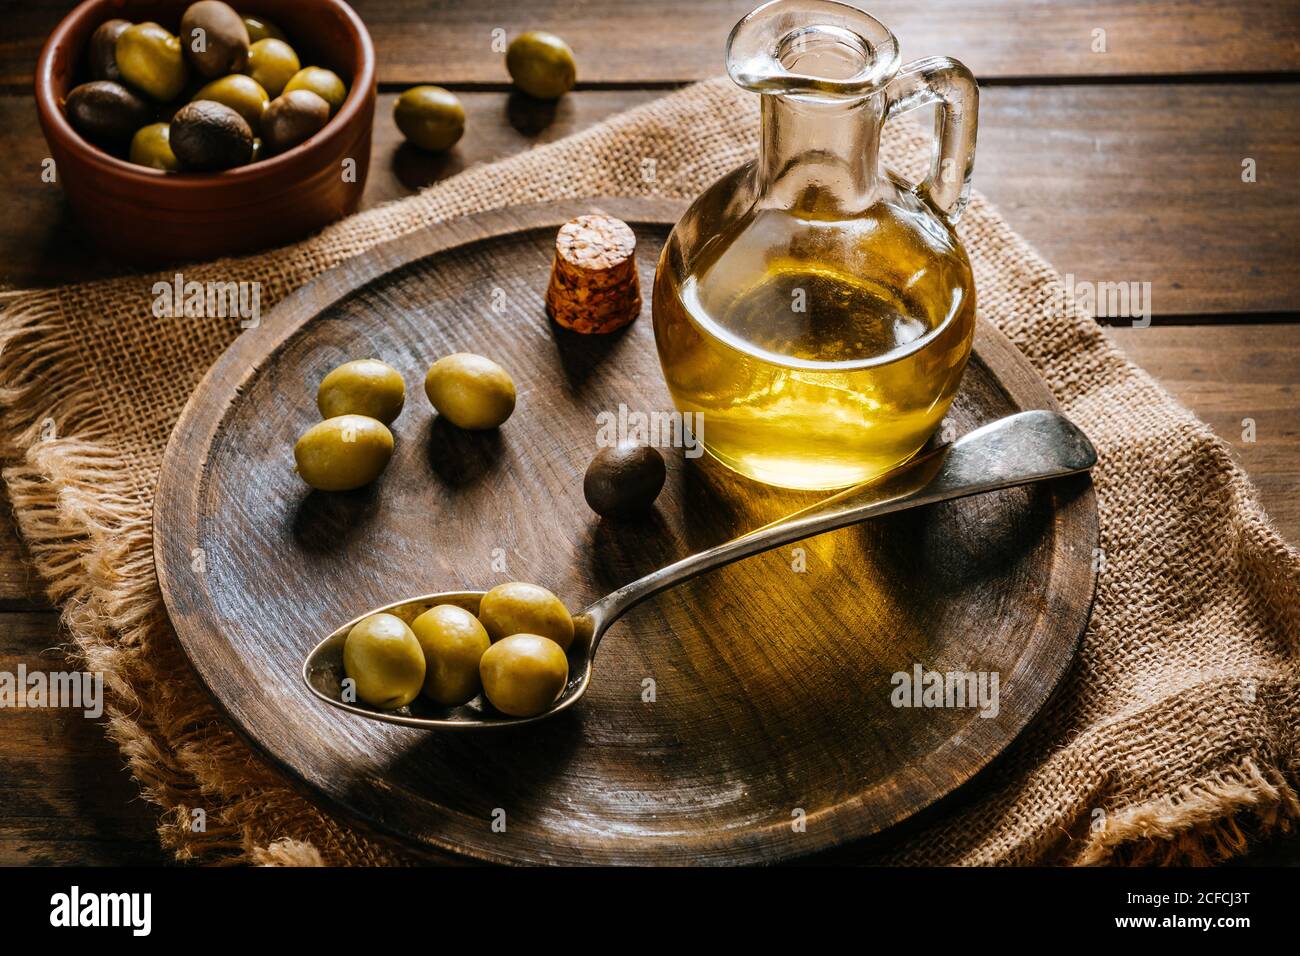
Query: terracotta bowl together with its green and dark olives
(188,131)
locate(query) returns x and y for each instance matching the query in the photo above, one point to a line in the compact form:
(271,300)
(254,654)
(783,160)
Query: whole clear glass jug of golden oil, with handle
(817,310)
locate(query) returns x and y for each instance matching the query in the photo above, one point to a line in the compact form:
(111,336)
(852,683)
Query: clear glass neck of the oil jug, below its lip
(820,158)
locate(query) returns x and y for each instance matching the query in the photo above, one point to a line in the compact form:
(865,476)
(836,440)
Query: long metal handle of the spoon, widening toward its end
(1016,451)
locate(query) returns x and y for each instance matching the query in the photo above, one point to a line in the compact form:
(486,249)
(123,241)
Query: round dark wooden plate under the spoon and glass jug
(744,717)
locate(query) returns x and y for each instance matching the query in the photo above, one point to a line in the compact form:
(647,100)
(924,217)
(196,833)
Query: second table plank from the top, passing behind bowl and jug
(1112,184)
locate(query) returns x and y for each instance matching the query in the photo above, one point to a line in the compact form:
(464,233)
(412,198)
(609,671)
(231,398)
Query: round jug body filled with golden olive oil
(821,354)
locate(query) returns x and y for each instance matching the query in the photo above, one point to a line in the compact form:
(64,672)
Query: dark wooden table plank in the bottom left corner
(67,798)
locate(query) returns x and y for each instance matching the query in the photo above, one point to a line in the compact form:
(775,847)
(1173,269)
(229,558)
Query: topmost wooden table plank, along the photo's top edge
(677,41)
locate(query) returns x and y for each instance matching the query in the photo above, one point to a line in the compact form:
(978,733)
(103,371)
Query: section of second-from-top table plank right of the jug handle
(1145,184)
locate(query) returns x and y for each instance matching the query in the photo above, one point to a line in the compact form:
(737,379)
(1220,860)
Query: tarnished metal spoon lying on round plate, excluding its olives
(1016,451)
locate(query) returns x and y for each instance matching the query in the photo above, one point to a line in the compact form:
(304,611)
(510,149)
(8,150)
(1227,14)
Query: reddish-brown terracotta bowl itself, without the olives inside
(148,217)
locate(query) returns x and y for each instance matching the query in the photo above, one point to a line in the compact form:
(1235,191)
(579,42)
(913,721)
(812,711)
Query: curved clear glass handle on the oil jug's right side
(943,81)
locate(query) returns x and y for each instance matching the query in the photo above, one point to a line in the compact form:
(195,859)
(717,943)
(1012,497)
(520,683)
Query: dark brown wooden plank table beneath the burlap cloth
(1113,136)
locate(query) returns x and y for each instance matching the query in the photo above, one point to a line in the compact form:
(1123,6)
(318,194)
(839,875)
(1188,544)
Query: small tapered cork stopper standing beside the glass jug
(595,283)
